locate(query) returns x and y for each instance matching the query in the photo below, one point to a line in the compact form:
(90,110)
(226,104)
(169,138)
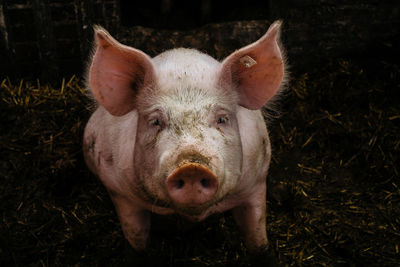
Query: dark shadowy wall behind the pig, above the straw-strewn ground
(43,38)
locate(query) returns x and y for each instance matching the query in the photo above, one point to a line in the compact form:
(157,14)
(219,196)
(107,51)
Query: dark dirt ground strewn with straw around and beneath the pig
(333,187)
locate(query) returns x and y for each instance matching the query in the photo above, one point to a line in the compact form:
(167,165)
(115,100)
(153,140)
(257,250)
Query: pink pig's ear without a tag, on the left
(117,72)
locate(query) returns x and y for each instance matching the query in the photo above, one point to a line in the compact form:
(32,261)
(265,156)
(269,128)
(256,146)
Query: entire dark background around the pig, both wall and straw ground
(333,187)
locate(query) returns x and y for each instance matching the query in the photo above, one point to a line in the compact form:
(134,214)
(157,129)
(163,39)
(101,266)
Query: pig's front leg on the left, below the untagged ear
(135,222)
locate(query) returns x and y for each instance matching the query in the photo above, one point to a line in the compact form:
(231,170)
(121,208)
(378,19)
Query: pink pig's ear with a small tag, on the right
(257,70)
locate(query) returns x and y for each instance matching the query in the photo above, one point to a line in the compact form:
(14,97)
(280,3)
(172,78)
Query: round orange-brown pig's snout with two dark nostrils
(192,184)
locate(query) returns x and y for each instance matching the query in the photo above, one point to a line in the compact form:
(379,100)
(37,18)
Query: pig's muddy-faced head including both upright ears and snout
(188,149)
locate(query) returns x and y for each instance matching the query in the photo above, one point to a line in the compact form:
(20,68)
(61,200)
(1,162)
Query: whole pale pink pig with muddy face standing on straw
(183,133)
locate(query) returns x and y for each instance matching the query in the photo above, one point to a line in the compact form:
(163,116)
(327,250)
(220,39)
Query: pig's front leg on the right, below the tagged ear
(250,217)
